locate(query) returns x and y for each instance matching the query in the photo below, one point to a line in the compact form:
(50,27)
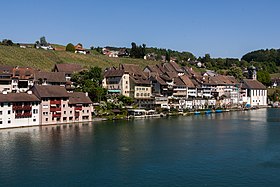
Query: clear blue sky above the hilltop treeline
(221,28)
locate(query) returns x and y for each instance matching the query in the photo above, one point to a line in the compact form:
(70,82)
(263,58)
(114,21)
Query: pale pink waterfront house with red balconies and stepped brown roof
(59,106)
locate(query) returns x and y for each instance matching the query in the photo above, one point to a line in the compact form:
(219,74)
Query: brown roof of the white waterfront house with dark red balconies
(18,97)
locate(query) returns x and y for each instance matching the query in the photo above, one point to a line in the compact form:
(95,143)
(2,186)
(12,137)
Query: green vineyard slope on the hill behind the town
(45,60)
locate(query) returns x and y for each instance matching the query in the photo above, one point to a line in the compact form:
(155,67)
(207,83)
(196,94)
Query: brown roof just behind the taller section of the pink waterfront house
(58,77)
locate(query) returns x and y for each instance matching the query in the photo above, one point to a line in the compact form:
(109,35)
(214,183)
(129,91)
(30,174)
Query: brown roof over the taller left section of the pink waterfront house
(46,91)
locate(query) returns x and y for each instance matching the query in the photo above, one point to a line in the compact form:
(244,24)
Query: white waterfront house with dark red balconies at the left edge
(19,109)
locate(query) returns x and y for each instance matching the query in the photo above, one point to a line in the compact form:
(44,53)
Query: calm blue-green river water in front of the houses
(229,149)
